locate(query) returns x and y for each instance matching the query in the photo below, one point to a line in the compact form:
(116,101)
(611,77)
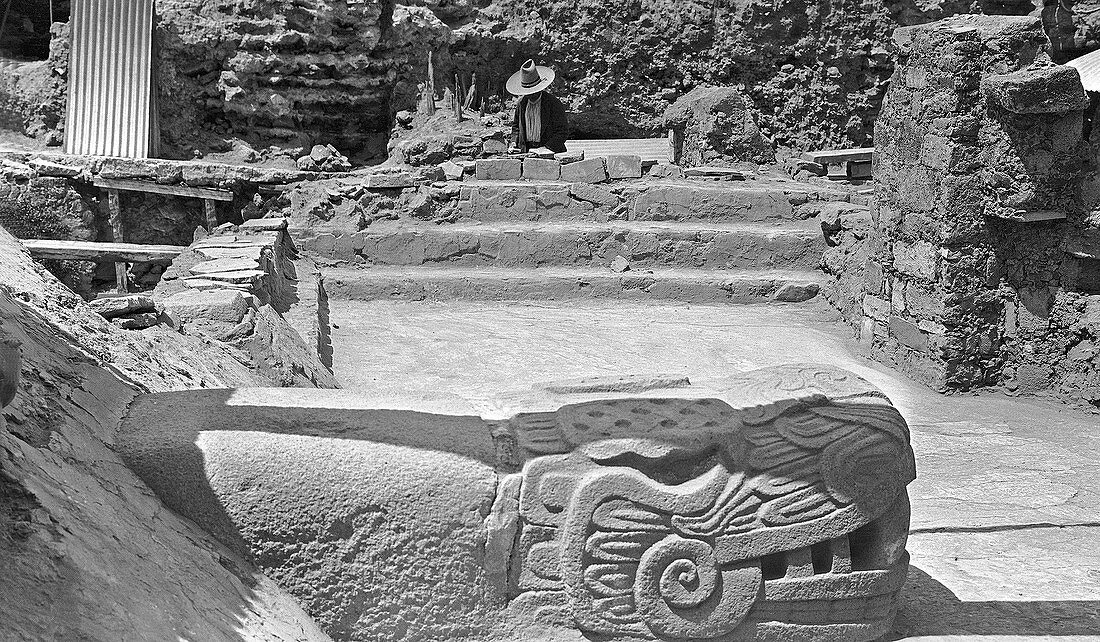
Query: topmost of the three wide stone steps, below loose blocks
(487,201)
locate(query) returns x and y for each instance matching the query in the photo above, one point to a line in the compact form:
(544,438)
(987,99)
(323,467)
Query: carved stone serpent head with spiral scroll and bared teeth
(690,519)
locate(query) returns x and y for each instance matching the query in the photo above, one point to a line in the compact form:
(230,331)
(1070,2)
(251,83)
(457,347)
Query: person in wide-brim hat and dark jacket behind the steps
(541,118)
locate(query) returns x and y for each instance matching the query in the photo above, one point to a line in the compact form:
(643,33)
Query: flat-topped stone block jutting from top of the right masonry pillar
(1038,90)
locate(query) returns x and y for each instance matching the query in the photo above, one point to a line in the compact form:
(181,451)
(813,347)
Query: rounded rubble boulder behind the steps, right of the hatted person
(714,126)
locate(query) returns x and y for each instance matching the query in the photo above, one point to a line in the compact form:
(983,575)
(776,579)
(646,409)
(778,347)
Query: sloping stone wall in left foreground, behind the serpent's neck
(90,552)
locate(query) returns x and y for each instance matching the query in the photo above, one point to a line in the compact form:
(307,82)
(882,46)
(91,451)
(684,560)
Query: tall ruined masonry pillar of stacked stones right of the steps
(978,127)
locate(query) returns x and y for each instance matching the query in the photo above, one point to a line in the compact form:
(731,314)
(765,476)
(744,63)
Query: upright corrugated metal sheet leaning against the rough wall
(111,88)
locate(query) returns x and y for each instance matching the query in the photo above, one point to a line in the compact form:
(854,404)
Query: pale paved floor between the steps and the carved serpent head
(1006,530)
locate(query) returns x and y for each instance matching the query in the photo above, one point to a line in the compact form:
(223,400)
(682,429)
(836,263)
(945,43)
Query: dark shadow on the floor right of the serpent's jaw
(930,608)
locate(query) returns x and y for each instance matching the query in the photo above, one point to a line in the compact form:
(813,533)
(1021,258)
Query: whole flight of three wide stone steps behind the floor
(675,241)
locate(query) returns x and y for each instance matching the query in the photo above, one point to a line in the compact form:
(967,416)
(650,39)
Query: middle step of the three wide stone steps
(643,245)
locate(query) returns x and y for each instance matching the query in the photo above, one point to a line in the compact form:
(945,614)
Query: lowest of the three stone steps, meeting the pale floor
(489,284)
